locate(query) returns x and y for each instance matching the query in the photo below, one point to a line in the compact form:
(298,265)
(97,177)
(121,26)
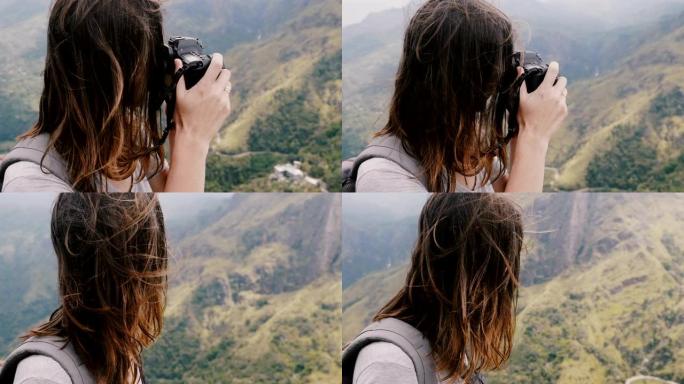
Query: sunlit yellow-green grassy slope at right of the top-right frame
(620,97)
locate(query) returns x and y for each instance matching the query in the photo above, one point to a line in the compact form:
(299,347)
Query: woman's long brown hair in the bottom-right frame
(461,290)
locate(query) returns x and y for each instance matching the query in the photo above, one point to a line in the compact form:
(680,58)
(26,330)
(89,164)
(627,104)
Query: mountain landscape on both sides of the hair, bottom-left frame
(254,287)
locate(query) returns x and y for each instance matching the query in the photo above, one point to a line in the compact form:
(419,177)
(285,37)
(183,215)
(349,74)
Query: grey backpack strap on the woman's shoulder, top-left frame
(34,150)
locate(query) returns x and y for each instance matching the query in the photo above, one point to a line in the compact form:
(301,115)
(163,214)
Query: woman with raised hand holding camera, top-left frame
(99,114)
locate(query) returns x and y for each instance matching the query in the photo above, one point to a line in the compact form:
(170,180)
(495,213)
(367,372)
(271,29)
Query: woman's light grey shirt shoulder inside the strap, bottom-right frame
(383,362)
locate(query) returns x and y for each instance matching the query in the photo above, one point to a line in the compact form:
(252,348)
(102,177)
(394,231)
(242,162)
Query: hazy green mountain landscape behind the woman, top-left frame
(286,58)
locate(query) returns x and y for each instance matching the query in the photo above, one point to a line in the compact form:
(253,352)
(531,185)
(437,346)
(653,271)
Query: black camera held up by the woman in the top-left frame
(190,52)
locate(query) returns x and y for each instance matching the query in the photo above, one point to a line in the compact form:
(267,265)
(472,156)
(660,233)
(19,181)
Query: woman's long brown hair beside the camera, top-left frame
(97,102)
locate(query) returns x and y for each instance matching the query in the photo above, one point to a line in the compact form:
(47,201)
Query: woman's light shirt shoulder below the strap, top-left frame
(25,176)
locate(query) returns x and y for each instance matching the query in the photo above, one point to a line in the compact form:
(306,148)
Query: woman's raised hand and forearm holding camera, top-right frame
(540,116)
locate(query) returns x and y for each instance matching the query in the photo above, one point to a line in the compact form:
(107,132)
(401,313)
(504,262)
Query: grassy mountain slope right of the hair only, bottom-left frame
(277,319)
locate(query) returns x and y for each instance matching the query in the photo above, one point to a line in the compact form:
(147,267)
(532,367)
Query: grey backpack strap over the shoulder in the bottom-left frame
(54,348)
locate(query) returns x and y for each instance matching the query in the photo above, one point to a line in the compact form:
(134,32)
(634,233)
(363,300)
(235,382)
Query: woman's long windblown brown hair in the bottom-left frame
(112,256)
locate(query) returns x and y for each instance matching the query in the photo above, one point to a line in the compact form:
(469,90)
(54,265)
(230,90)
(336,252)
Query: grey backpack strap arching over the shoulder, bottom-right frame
(399,333)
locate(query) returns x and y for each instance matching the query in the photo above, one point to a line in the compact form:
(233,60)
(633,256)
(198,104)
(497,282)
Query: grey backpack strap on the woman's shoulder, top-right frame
(385,147)
